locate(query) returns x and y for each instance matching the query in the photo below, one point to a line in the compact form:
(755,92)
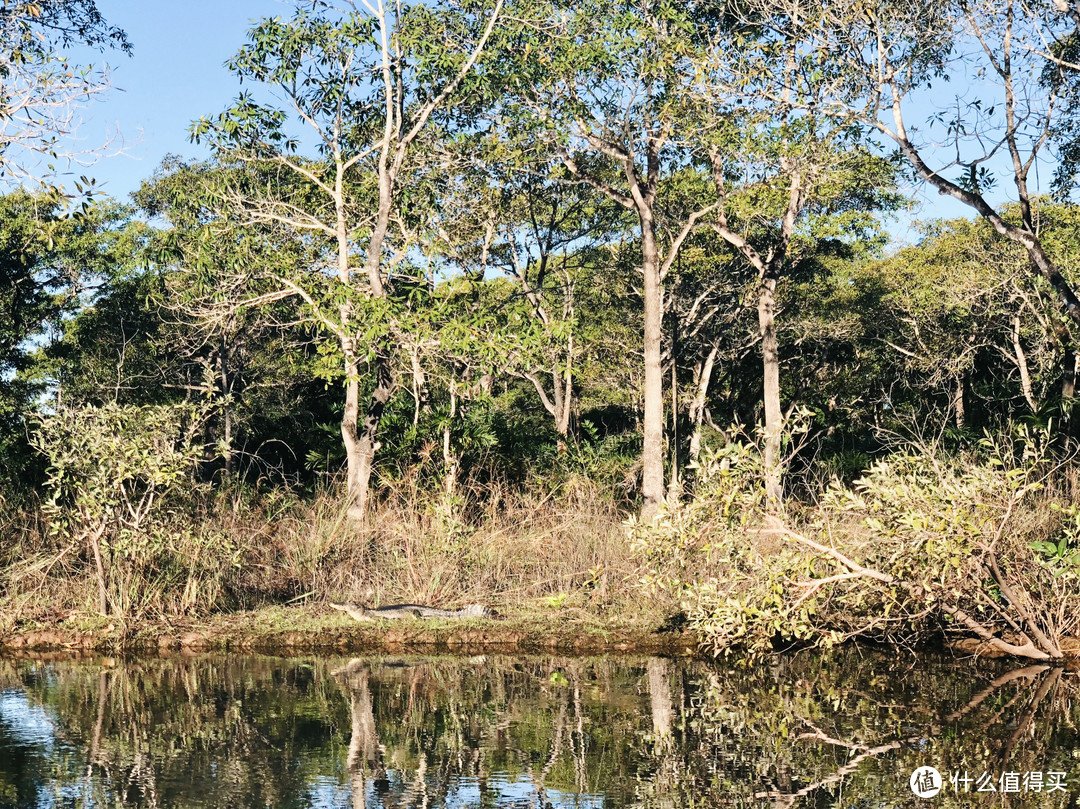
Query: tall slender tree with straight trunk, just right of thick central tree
(781,163)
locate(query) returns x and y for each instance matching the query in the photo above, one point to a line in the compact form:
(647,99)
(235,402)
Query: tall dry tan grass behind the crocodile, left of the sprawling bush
(485,544)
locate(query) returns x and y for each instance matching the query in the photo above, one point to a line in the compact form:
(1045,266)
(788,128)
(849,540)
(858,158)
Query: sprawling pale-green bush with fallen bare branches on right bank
(922,545)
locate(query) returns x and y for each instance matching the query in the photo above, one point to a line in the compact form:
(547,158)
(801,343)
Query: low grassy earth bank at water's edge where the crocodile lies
(317,628)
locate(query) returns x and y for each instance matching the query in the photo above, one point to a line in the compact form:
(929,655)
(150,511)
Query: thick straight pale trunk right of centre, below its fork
(653,447)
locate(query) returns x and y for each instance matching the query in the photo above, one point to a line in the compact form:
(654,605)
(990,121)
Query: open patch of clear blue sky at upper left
(175,76)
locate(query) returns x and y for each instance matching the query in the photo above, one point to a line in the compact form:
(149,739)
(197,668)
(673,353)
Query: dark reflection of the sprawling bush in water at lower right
(819,743)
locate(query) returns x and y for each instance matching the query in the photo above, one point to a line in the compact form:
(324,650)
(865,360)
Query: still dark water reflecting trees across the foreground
(841,731)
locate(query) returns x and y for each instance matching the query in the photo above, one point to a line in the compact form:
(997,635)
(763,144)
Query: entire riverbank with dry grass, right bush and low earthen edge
(923,552)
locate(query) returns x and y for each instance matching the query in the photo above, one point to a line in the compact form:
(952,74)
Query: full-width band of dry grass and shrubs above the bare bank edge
(980,543)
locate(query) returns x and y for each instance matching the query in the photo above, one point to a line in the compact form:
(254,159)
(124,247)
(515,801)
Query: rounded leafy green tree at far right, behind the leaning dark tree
(968,326)
